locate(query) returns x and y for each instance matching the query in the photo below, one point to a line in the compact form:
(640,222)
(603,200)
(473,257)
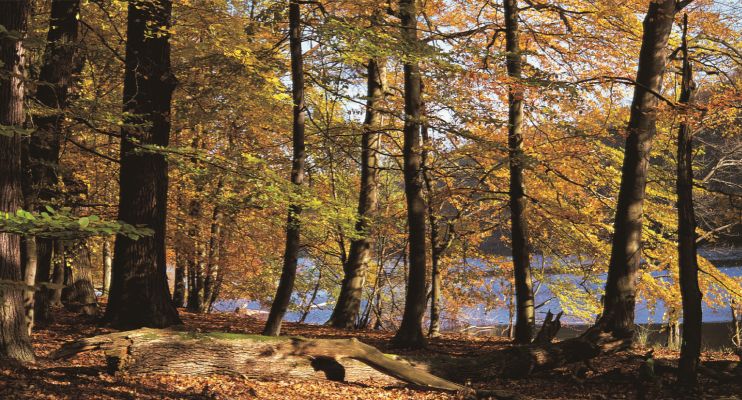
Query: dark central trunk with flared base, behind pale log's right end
(410,333)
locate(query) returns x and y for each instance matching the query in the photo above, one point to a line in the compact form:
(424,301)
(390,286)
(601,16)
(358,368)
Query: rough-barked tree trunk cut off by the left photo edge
(15,343)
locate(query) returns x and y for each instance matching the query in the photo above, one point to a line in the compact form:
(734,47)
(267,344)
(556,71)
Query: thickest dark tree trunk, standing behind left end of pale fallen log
(139,292)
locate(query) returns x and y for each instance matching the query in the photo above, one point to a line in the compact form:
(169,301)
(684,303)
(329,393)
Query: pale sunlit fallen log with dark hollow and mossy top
(193,353)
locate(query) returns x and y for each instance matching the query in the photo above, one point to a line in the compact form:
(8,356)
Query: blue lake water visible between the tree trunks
(481,316)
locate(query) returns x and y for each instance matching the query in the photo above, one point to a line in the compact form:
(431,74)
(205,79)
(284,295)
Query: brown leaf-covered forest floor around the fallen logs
(85,377)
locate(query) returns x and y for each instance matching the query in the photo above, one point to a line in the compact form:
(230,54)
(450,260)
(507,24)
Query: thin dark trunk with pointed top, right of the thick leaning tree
(687,257)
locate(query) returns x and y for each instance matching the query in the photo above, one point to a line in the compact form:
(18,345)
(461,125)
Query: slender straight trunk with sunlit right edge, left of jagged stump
(525,316)
